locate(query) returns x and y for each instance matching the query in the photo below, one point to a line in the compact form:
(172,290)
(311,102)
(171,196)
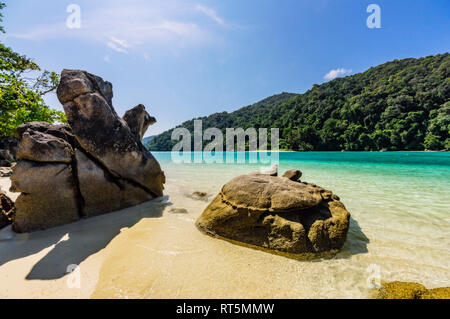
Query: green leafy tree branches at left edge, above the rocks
(22,87)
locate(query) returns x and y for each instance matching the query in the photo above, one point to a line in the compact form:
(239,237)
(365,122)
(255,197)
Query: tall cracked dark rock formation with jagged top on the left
(94,165)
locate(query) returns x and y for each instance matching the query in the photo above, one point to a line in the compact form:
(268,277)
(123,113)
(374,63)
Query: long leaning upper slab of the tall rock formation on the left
(103,134)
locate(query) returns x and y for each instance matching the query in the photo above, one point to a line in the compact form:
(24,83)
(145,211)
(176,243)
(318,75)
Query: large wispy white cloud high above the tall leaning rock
(136,25)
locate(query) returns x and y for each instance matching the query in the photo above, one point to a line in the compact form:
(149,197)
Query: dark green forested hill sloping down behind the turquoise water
(399,105)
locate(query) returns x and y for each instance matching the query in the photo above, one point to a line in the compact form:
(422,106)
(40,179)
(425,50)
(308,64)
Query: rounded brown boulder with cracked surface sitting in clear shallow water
(277,214)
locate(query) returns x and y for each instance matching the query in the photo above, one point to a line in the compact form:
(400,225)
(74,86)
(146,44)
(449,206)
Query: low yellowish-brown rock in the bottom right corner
(410,290)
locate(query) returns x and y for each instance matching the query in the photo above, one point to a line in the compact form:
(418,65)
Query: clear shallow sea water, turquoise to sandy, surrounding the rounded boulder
(400,206)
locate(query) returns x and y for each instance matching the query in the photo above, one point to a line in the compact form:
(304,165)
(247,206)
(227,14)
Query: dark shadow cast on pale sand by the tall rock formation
(75,242)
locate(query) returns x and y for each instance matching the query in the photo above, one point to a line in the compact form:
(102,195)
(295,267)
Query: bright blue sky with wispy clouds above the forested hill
(184,59)
